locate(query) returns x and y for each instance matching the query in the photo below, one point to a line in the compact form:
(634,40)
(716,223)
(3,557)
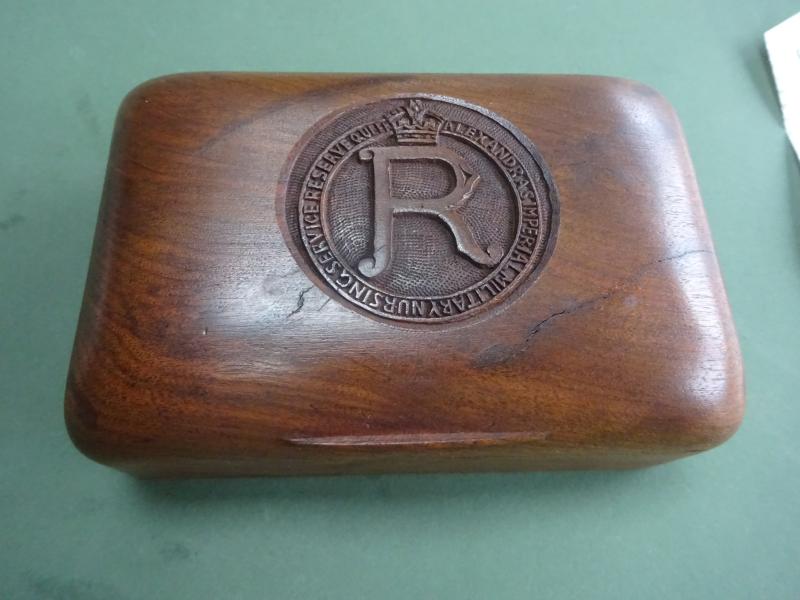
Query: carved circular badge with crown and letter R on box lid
(420,208)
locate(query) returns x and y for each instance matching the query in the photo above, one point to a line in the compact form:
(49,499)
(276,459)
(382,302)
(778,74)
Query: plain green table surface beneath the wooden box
(724,524)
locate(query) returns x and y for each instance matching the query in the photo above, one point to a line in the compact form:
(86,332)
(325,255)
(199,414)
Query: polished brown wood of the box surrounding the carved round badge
(209,344)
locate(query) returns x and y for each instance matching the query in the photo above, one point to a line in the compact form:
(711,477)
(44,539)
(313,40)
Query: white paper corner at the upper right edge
(783,47)
